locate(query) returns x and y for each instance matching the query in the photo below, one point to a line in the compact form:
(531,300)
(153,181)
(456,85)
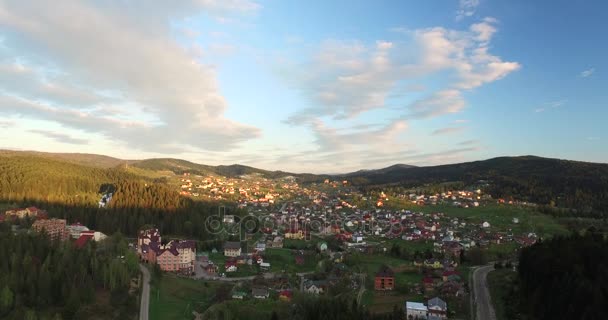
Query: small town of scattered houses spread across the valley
(330,240)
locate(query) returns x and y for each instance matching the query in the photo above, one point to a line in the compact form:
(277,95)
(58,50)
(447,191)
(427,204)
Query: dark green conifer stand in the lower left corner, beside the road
(42,279)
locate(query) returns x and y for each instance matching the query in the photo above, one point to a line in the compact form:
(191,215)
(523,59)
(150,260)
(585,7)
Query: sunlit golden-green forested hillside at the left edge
(27,178)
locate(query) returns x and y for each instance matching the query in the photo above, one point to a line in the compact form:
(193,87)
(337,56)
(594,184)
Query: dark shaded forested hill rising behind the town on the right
(572,184)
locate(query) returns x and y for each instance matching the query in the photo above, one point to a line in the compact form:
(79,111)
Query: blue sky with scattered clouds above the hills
(306,86)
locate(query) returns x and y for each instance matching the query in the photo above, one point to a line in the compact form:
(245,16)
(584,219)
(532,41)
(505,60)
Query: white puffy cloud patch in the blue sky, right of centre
(347,78)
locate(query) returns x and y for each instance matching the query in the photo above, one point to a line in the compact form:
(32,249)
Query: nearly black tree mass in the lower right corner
(565,278)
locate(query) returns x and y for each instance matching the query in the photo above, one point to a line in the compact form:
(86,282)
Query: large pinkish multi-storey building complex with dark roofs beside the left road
(175,256)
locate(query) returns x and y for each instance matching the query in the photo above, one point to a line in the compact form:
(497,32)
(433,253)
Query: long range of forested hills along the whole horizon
(571,184)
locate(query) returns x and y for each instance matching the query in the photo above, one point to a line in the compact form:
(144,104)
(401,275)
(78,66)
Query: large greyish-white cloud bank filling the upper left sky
(81,57)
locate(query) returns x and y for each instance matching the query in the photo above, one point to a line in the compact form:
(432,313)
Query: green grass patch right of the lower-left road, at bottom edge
(176,298)
